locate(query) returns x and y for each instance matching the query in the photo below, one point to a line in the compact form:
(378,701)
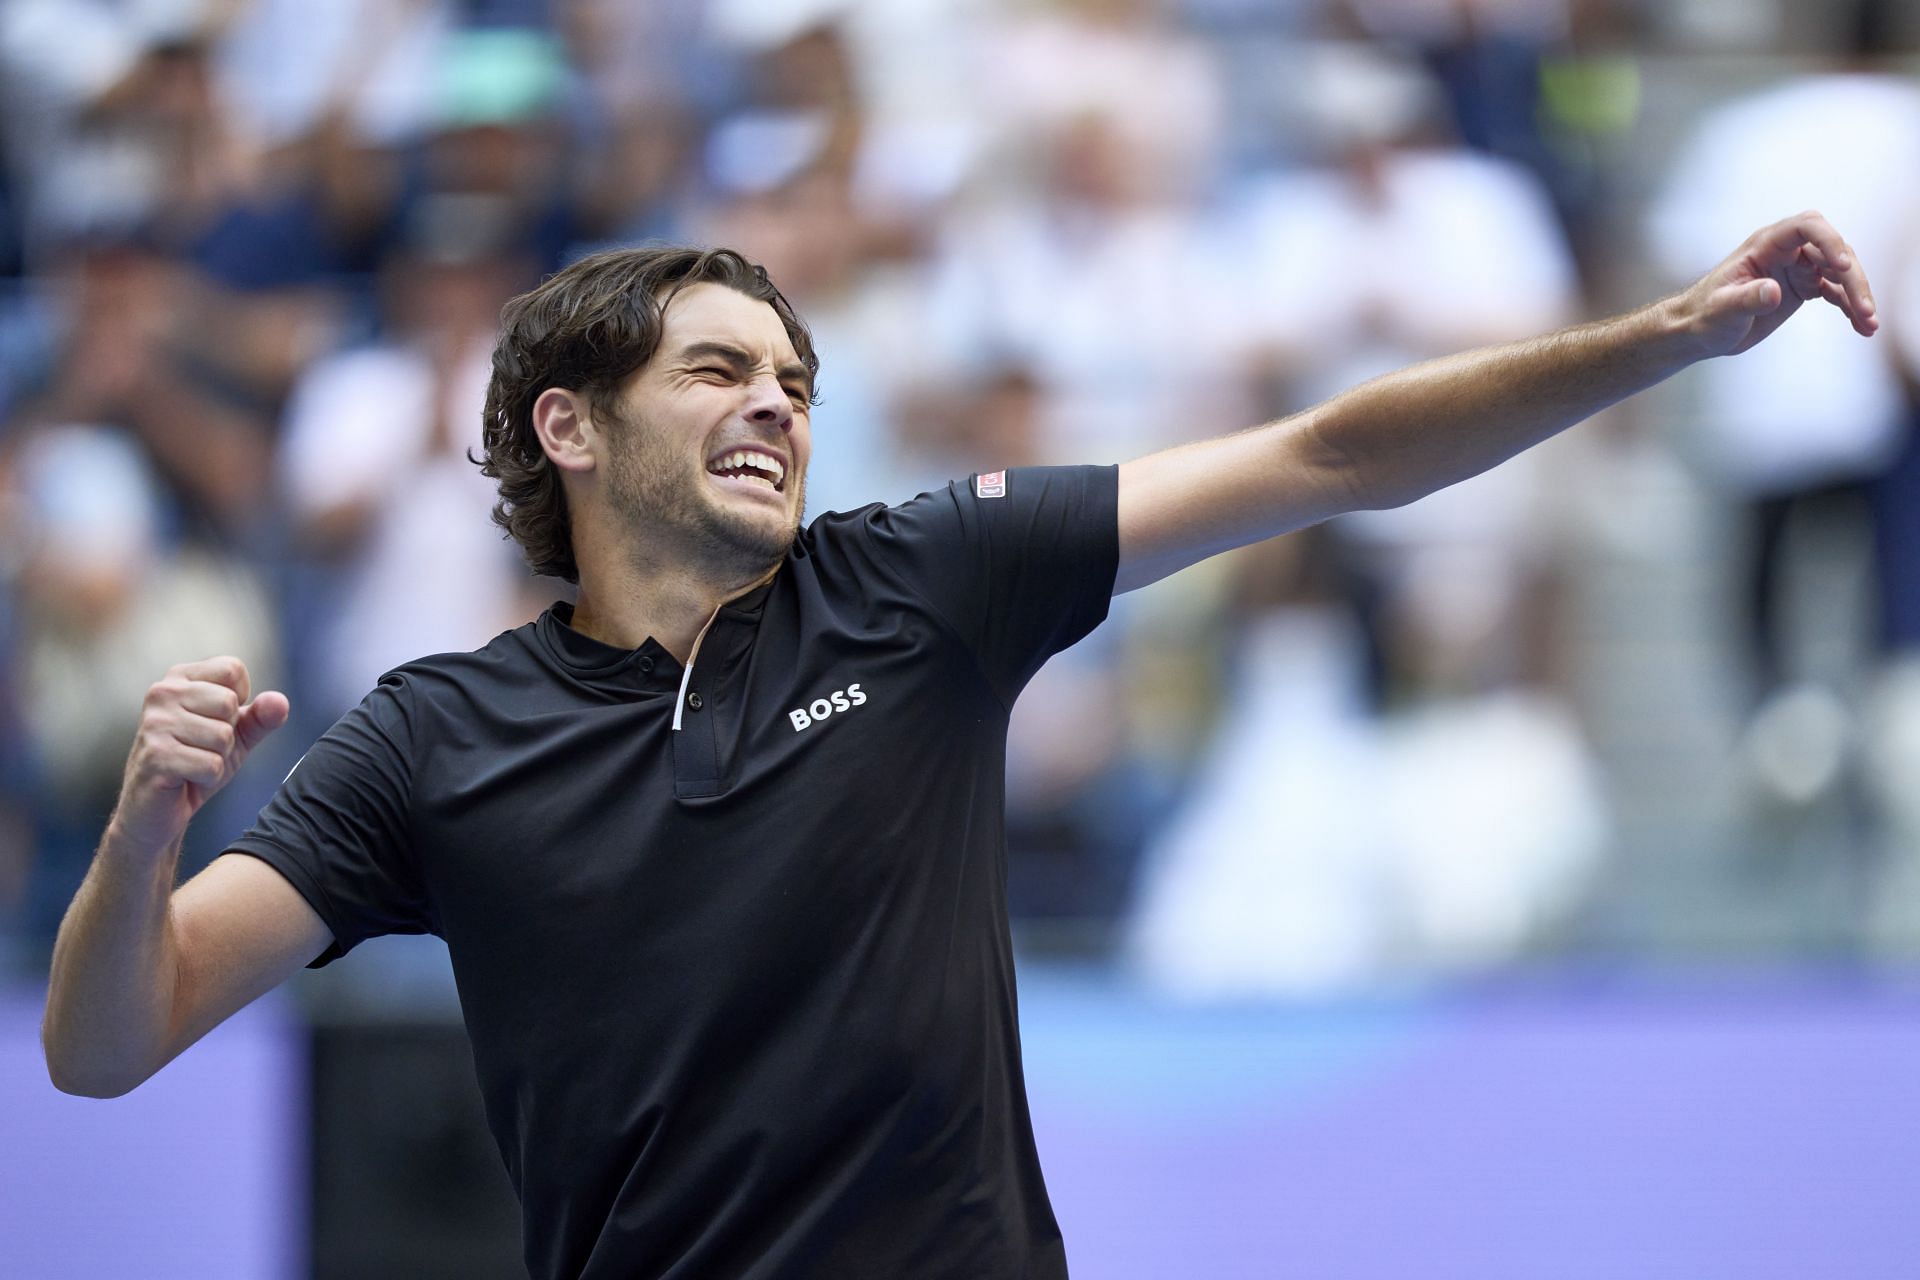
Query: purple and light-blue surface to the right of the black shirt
(1562,1129)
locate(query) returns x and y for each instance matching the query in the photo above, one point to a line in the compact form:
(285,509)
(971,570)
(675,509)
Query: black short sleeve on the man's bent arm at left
(339,826)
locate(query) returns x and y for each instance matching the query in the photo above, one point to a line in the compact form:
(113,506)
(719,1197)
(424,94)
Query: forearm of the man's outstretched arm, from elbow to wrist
(1422,429)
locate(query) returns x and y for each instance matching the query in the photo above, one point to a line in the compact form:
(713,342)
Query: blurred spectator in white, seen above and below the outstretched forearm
(1295,863)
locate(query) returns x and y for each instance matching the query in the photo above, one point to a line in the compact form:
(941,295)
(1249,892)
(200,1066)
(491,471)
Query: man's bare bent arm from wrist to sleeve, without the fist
(141,970)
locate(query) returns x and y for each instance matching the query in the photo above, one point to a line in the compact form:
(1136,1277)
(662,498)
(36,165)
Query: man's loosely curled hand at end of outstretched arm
(1765,281)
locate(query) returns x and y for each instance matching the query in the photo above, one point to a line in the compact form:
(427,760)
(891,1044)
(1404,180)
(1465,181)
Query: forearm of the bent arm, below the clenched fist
(112,991)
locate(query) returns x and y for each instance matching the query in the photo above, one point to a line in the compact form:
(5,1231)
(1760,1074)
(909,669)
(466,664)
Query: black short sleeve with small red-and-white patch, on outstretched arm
(1019,563)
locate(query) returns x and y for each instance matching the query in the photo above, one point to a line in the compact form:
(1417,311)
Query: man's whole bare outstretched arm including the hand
(1406,435)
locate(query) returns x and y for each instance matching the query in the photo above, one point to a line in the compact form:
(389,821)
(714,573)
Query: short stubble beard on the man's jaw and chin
(669,500)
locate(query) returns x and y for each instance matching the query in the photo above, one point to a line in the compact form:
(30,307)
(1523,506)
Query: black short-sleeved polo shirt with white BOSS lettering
(740,993)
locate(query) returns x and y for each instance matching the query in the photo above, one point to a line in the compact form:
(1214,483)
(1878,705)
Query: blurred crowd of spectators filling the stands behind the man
(252,254)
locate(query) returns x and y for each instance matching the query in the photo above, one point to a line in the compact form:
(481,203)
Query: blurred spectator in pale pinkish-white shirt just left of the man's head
(375,465)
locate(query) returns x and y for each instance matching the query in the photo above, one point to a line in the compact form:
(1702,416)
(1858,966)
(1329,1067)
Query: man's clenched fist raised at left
(197,728)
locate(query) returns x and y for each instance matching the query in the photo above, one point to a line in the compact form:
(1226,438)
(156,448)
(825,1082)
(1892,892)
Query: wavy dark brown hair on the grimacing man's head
(588,329)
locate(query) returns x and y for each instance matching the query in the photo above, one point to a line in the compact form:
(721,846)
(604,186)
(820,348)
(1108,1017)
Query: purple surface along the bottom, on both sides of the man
(1554,1129)
